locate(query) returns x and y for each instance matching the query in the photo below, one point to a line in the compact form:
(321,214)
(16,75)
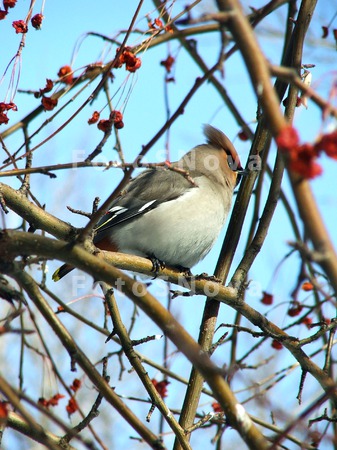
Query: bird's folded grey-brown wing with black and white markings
(145,193)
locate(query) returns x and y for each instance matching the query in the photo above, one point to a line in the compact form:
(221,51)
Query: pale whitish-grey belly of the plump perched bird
(179,233)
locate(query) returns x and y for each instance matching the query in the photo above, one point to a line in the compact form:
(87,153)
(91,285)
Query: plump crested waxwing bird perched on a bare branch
(173,214)
